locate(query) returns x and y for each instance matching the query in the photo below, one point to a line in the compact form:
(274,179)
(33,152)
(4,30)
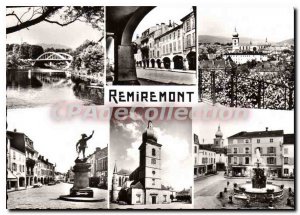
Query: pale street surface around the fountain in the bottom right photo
(206,189)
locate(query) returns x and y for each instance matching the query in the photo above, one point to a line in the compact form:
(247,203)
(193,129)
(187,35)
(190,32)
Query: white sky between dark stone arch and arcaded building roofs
(162,14)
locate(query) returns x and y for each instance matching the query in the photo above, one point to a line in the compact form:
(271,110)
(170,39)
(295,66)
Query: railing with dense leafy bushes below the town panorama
(230,89)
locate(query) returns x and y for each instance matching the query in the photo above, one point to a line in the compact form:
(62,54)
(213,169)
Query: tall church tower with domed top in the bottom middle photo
(150,160)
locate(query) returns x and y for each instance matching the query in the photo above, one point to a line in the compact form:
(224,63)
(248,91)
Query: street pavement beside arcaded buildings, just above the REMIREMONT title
(165,77)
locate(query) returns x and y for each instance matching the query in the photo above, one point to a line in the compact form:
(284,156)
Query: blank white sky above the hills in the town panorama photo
(277,24)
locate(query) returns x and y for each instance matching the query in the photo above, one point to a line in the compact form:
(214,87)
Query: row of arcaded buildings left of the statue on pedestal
(25,167)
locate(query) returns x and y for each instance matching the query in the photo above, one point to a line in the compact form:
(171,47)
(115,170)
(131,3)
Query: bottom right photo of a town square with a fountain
(245,163)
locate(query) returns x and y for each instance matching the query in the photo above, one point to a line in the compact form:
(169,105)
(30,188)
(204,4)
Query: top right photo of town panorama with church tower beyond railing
(246,57)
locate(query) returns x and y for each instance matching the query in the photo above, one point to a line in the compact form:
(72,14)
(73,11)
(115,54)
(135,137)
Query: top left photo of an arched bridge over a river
(54,54)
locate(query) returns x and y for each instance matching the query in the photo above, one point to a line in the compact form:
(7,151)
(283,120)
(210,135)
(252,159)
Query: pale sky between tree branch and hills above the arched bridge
(72,35)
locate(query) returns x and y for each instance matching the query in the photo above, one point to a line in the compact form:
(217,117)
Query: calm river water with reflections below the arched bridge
(40,87)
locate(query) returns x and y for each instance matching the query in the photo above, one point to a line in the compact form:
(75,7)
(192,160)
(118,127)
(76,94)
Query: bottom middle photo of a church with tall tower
(151,162)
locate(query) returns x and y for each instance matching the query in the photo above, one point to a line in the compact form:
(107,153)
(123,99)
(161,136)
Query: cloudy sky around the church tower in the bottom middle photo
(175,137)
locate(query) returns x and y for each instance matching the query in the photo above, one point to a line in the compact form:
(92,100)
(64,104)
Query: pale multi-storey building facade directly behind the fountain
(244,148)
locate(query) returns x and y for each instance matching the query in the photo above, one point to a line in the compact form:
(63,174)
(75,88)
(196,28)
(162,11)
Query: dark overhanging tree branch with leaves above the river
(29,16)
